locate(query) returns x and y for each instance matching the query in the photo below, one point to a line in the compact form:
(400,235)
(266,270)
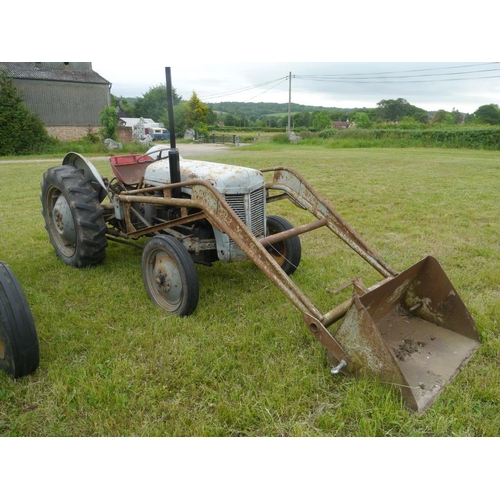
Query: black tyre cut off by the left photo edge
(19,350)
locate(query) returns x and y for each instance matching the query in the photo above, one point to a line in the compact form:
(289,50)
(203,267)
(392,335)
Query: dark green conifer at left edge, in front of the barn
(21,131)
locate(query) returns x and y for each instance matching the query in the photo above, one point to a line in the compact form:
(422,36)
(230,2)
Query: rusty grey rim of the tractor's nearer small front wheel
(165,280)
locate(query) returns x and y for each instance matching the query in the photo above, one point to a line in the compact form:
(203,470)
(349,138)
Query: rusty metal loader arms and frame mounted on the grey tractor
(211,205)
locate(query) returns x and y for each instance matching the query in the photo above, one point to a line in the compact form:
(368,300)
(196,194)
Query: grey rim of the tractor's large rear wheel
(61,222)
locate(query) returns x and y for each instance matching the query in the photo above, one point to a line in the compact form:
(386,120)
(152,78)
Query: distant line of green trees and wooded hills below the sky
(264,115)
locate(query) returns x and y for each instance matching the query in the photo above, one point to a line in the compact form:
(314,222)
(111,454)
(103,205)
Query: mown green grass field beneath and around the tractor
(245,364)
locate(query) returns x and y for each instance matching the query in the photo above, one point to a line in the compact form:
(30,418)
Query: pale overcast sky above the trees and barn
(463,86)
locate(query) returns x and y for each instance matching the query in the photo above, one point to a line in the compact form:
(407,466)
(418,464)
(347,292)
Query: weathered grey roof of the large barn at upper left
(40,71)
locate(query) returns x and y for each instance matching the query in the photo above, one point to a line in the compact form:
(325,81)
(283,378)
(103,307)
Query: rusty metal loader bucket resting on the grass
(413,331)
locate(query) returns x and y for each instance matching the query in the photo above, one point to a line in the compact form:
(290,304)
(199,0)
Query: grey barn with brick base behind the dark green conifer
(67,96)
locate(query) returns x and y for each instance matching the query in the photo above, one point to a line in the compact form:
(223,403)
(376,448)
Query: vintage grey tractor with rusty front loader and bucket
(197,212)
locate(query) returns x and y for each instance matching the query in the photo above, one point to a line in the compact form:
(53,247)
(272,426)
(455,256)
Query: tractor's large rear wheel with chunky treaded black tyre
(73,216)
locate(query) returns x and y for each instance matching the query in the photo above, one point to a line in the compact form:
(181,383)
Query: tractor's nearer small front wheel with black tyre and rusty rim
(170,276)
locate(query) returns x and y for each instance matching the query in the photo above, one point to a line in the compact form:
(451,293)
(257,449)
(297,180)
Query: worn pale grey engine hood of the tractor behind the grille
(227,179)
